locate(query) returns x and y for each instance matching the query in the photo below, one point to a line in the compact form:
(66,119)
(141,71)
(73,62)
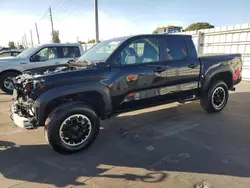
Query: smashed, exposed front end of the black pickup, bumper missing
(27,88)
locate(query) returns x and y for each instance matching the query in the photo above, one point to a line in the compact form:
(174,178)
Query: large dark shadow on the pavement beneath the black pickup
(144,146)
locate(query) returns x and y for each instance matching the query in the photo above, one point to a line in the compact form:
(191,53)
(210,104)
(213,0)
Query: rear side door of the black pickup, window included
(183,67)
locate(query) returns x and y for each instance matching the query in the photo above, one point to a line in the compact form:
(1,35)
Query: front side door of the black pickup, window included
(141,72)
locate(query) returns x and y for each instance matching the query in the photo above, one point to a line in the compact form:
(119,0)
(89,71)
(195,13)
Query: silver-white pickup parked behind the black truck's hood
(36,57)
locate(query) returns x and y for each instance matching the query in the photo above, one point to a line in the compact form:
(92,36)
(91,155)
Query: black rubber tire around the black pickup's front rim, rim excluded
(55,120)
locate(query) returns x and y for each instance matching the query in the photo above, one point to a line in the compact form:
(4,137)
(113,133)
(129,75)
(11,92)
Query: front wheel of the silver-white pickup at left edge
(5,83)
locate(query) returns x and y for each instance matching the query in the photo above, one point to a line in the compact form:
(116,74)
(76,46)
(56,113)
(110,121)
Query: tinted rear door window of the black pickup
(176,48)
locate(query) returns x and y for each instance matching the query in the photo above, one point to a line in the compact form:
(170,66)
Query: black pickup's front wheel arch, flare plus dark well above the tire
(93,94)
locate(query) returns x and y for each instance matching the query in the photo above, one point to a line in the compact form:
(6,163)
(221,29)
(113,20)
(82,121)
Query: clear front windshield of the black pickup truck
(101,51)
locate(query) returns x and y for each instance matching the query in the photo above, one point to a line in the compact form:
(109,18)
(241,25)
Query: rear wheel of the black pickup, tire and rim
(215,99)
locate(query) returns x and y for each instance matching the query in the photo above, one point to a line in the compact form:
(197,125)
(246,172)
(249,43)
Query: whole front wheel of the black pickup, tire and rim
(71,128)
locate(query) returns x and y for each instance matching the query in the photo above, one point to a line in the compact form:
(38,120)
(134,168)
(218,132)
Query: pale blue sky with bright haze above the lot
(75,18)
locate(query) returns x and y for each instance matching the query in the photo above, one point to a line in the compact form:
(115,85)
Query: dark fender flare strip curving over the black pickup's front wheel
(44,99)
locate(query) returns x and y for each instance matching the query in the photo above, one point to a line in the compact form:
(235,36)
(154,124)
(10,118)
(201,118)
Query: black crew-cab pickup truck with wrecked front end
(119,75)
